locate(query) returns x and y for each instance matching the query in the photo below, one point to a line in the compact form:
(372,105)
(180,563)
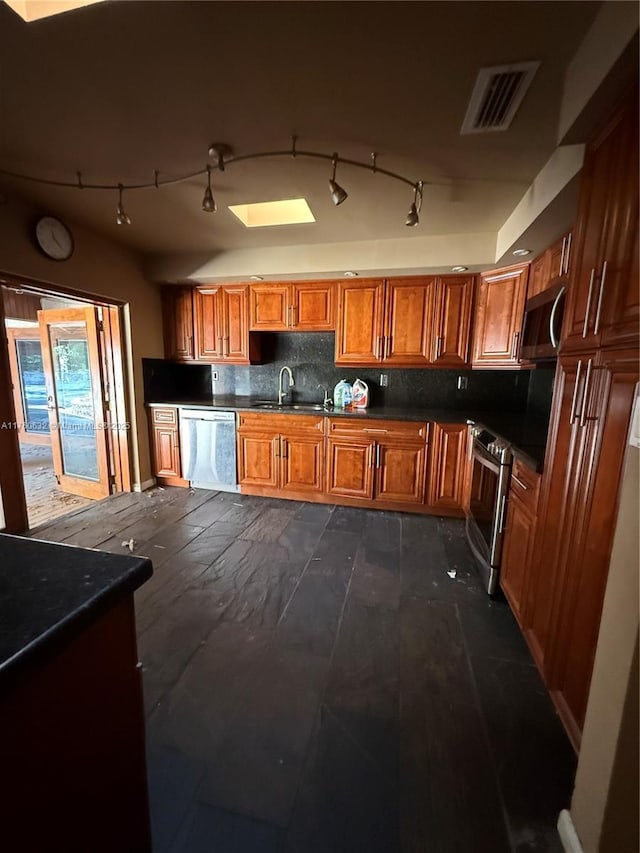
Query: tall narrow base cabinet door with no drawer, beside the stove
(447,474)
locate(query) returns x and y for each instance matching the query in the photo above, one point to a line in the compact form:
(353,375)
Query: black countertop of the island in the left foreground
(49,591)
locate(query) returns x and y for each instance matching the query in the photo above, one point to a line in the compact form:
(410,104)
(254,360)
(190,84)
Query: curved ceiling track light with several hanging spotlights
(224,156)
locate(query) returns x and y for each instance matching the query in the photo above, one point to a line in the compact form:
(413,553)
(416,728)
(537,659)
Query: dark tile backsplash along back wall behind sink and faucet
(310,357)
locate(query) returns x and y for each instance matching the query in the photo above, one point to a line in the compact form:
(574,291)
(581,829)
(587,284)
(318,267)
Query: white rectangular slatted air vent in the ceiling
(496,96)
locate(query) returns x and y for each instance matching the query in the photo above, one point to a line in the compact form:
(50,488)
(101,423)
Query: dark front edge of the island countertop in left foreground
(42,647)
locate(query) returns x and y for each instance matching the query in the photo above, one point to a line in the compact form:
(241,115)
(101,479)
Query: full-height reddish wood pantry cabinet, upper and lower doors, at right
(594,395)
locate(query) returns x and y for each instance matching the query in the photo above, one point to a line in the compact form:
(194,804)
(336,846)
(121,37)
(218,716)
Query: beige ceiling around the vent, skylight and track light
(120,89)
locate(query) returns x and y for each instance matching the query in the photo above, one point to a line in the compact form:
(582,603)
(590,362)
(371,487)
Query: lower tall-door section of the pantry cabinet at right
(592,408)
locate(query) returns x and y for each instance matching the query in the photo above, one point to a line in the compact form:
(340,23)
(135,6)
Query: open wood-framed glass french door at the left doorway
(75,400)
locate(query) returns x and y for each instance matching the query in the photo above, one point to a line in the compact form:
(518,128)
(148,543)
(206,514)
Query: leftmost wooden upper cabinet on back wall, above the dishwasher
(209,324)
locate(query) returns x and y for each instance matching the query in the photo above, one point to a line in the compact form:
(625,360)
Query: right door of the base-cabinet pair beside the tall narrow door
(400,472)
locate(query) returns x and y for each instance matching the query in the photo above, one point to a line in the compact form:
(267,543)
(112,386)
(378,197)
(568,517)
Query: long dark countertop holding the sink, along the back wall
(527,436)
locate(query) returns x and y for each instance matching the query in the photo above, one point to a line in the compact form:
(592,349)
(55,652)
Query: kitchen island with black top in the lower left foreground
(71,709)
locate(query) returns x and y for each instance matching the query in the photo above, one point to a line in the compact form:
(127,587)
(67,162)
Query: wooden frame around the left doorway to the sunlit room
(117,369)
